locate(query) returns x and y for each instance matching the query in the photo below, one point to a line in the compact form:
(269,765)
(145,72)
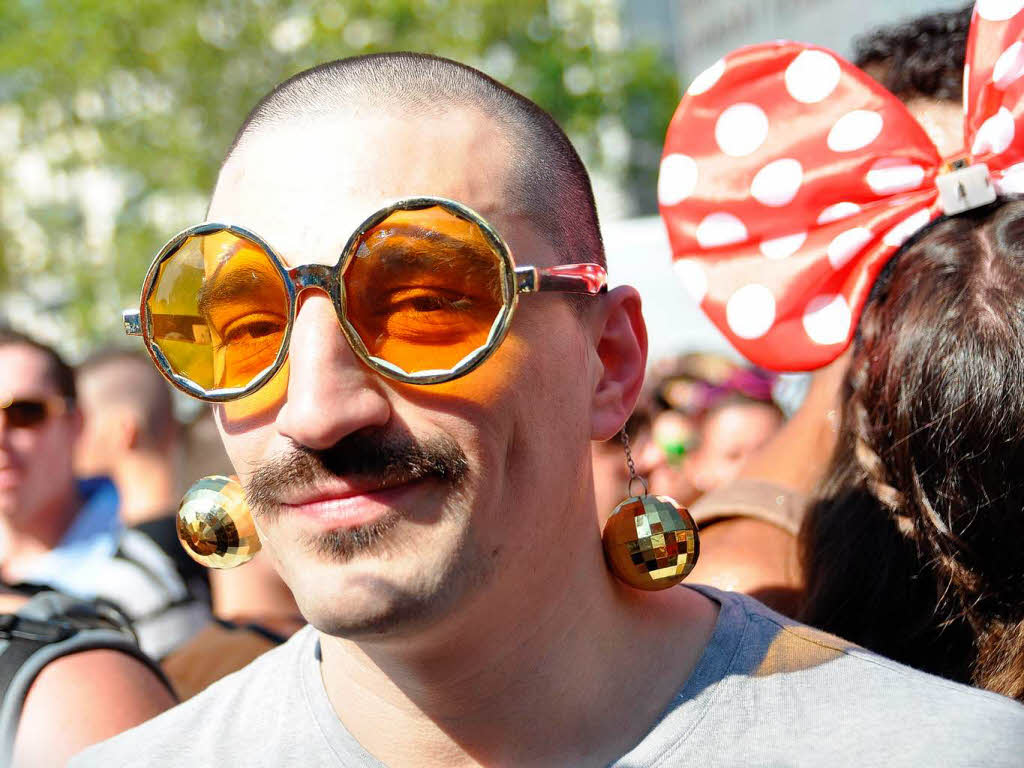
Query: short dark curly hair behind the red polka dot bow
(921,58)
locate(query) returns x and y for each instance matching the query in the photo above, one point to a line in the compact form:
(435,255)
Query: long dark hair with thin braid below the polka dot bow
(913,543)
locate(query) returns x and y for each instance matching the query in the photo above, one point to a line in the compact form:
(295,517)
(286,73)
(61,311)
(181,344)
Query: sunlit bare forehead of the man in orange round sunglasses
(305,186)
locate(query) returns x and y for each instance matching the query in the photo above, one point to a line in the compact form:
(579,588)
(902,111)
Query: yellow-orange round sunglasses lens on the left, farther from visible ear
(219,311)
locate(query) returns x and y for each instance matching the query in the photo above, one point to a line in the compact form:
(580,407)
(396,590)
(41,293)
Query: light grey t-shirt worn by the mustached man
(767,692)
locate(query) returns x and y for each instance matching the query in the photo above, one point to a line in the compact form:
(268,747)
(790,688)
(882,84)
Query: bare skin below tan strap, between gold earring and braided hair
(742,554)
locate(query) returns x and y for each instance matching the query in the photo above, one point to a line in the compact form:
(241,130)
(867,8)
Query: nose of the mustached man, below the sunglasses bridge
(331,394)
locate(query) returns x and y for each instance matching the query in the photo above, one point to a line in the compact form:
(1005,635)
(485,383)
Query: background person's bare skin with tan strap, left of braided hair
(741,552)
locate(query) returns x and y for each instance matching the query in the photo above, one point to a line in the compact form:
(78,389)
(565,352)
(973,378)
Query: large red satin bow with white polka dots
(790,178)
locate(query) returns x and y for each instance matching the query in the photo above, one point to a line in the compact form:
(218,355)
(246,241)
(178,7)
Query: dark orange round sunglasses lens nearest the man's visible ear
(423,290)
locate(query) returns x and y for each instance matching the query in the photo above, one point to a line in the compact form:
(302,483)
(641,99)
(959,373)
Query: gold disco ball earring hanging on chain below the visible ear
(651,542)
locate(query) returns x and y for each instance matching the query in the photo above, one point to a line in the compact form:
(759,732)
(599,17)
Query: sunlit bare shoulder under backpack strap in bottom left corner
(83,699)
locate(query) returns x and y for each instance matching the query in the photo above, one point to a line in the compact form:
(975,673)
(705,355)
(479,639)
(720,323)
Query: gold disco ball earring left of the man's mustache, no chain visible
(216,526)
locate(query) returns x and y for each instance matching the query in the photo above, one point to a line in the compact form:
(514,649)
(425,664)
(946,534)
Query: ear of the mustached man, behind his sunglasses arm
(622,349)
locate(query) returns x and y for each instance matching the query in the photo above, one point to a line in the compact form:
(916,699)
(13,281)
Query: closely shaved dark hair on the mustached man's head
(546,183)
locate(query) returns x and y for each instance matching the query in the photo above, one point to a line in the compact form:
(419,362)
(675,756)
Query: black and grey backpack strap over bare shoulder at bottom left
(29,642)
